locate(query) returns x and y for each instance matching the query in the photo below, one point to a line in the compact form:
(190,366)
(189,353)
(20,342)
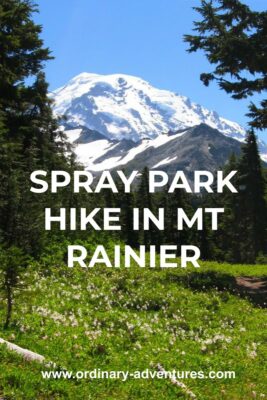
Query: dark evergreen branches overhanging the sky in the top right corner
(233,38)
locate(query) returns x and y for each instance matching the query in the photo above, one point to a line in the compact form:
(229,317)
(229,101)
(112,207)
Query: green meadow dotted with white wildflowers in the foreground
(133,319)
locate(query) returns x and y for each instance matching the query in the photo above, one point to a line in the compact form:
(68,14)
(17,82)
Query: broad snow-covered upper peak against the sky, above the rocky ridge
(122,106)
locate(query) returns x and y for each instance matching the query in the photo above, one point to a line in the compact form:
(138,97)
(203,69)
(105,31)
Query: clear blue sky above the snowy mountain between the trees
(140,37)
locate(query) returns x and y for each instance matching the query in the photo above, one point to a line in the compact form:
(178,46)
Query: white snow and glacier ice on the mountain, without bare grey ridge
(125,116)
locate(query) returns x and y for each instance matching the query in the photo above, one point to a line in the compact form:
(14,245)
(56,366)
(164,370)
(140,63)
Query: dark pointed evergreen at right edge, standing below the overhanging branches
(242,233)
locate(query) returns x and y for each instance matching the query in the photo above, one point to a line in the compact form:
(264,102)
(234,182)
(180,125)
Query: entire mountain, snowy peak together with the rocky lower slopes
(121,121)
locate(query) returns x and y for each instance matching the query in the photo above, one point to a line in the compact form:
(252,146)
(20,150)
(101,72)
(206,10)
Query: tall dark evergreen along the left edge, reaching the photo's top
(28,137)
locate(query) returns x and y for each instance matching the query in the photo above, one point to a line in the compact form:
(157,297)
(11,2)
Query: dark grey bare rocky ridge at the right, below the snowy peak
(198,148)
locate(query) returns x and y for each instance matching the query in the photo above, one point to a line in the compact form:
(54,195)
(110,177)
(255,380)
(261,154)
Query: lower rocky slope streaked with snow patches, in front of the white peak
(197,148)
